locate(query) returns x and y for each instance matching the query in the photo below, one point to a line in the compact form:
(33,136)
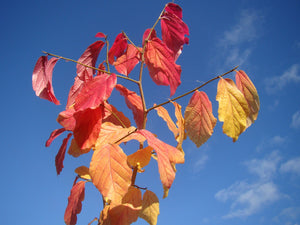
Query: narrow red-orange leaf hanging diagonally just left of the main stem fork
(133,102)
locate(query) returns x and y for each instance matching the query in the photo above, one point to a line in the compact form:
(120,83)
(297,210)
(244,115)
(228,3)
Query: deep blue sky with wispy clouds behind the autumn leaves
(253,181)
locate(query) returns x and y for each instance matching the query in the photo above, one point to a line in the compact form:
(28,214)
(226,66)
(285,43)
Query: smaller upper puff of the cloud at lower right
(264,168)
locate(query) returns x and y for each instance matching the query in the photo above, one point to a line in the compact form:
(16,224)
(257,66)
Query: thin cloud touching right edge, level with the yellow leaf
(277,83)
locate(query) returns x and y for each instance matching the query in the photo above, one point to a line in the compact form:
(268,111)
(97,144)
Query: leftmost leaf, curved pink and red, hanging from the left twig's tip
(42,79)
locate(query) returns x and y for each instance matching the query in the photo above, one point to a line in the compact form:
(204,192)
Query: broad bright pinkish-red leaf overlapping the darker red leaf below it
(95,92)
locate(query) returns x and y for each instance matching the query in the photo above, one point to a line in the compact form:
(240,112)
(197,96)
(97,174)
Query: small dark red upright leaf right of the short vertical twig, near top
(118,48)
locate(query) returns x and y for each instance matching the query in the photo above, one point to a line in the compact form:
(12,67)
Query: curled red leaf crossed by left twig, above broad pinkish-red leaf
(89,58)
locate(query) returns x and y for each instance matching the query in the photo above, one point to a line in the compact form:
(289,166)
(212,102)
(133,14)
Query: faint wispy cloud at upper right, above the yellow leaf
(235,42)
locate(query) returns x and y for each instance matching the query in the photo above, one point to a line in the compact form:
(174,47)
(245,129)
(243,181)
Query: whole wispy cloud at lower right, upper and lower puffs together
(249,198)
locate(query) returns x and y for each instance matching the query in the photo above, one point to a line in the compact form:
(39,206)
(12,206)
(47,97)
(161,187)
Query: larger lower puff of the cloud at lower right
(248,199)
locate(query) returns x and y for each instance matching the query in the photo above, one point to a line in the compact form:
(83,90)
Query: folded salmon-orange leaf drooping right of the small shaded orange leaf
(166,155)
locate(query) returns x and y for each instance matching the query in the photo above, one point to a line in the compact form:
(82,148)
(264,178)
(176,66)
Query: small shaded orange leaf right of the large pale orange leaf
(140,158)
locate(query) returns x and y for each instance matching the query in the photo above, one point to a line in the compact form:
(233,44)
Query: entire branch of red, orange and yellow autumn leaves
(91,123)
